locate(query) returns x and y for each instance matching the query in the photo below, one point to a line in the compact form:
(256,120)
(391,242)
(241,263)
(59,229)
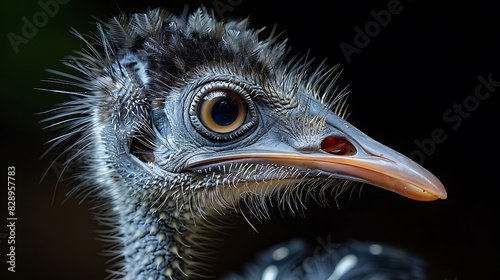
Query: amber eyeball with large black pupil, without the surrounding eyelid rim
(222,111)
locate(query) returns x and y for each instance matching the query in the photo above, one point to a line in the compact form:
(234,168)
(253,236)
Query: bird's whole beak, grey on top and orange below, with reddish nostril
(346,154)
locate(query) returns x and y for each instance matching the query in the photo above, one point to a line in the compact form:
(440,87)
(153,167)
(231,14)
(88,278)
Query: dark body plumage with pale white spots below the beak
(296,259)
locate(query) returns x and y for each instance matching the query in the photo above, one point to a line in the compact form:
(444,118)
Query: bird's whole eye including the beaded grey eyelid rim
(222,111)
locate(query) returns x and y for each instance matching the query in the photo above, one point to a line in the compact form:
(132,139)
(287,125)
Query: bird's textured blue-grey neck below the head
(161,242)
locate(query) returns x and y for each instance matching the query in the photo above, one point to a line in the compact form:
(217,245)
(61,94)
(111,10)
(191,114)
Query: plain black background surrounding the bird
(424,62)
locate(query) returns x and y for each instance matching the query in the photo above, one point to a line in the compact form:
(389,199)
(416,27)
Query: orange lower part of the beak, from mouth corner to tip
(401,176)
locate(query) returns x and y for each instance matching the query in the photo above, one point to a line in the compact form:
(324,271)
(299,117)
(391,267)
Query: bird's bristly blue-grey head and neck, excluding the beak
(142,142)
